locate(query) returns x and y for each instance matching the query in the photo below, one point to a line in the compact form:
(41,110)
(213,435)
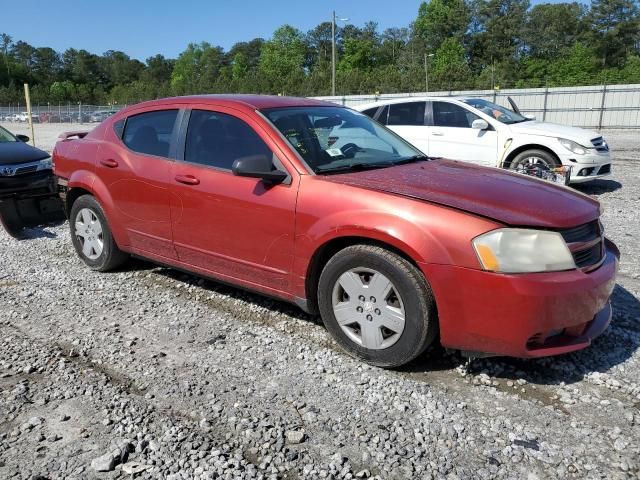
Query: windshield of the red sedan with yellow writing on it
(336,139)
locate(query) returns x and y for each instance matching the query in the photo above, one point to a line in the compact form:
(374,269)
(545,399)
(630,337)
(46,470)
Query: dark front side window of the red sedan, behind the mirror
(217,140)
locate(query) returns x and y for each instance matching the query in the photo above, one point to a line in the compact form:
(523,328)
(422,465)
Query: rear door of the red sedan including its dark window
(136,168)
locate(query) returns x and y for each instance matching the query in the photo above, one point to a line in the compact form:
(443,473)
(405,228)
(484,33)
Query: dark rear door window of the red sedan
(150,133)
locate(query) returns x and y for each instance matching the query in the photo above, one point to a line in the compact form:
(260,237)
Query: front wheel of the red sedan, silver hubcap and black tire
(362,329)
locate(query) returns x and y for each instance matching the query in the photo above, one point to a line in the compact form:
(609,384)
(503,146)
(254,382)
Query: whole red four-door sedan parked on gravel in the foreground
(321,206)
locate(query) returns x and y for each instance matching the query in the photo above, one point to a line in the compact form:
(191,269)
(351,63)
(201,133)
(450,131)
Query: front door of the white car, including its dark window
(451,135)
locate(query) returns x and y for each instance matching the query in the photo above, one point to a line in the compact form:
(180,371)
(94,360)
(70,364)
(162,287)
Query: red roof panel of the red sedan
(254,102)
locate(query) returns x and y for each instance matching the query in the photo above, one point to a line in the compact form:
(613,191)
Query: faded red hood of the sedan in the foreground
(510,198)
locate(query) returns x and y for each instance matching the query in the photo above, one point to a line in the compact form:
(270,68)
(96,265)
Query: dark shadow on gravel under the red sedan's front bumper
(617,344)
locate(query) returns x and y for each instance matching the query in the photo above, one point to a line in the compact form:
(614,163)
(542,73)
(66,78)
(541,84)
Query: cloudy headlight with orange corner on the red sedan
(517,250)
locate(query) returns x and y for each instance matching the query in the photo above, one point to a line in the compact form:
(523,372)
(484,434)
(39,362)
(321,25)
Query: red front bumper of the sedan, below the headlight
(524,315)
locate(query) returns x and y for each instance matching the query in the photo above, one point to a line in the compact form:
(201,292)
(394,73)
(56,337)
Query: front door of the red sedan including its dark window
(235,228)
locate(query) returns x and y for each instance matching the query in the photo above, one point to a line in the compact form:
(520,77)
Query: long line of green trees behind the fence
(473,43)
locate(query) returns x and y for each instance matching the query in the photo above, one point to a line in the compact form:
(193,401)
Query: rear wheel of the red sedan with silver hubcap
(91,236)
